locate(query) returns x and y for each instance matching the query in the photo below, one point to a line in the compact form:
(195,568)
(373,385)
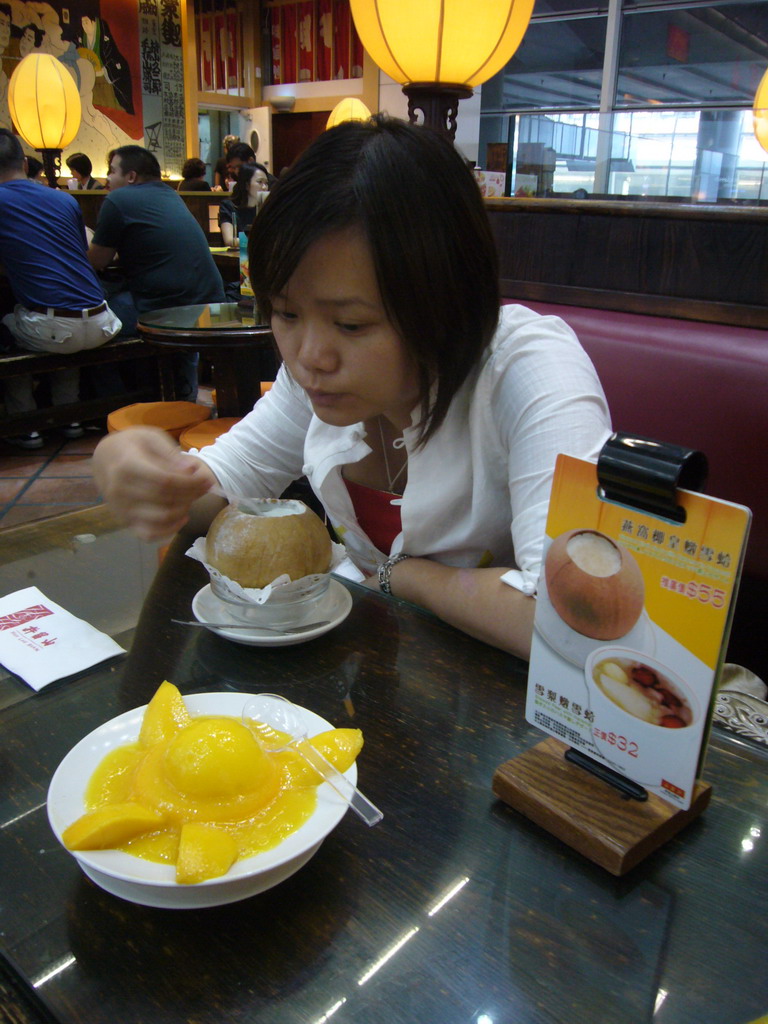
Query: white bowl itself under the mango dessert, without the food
(154,885)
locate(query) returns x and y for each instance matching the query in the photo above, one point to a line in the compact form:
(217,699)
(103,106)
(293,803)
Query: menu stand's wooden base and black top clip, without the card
(566,792)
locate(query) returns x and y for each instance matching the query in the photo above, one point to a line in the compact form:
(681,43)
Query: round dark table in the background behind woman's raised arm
(241,351)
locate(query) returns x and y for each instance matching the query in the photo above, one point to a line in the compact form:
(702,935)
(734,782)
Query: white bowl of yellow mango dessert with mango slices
(181,804)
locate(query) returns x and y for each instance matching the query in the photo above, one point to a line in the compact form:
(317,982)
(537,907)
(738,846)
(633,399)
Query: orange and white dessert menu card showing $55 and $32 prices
(632,618)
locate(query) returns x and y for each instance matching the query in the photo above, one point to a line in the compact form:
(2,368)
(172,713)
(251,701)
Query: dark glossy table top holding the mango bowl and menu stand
(454,910)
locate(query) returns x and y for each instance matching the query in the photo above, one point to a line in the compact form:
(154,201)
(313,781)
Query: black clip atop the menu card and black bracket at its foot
(644,475)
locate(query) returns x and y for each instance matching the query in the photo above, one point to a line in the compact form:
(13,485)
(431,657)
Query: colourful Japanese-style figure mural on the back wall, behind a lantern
(126,62)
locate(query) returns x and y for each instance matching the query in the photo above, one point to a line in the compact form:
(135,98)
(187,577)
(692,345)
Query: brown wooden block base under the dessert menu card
(586,814)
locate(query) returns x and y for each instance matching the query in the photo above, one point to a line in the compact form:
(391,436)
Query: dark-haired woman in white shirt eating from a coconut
(426,420)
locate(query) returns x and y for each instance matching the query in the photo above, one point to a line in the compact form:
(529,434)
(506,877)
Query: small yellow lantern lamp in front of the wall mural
(46,108)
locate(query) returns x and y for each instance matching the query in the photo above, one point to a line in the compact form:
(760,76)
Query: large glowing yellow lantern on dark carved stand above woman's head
(440,50)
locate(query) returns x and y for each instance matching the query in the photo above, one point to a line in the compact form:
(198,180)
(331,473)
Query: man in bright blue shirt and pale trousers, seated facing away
(61,306)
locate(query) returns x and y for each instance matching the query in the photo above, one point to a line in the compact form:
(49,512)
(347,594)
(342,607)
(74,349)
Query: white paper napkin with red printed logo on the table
(41,642)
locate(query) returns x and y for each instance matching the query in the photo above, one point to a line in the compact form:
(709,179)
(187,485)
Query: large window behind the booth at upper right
(659,108)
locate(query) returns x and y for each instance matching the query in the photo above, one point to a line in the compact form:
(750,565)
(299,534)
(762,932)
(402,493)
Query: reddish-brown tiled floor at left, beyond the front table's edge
(53,480)
